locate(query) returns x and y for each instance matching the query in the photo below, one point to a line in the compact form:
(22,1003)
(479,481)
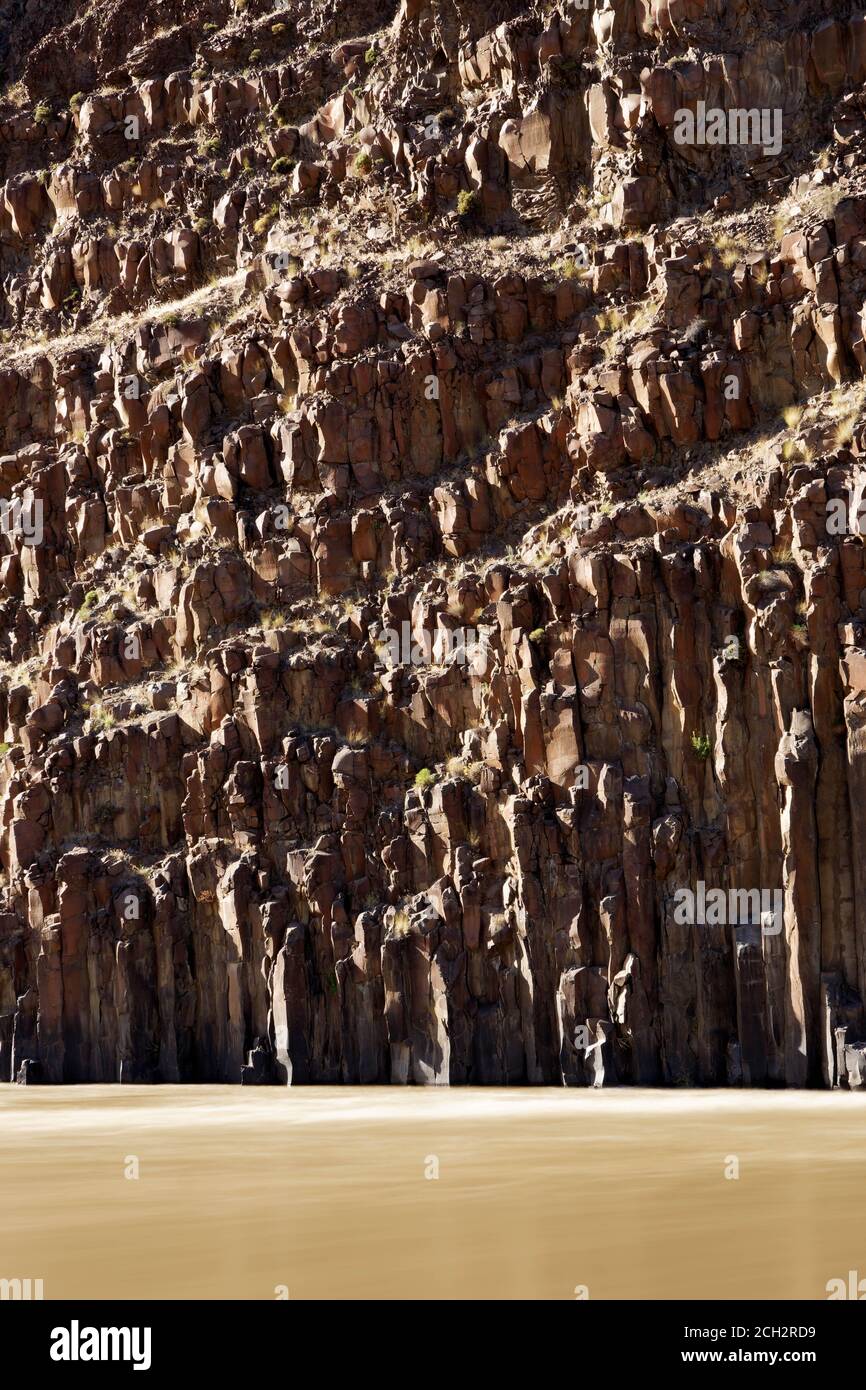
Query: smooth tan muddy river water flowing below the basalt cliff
(330,1193)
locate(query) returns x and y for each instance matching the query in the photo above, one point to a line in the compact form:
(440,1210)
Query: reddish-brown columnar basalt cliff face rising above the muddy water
(430,551)
